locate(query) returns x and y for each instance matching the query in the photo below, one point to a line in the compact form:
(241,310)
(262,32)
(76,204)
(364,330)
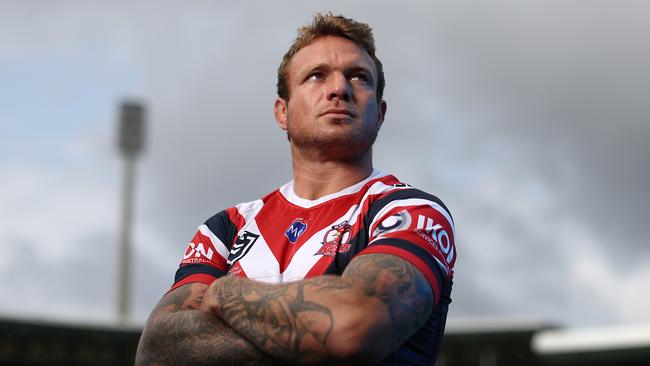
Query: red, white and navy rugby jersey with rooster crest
(282,238)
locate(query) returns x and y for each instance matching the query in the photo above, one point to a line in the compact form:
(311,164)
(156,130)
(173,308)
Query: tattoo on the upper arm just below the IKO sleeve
(400,286)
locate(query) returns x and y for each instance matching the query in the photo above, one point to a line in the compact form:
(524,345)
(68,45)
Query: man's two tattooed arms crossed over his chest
(361,316)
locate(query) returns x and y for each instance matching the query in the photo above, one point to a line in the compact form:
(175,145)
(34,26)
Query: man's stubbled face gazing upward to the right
(332,104)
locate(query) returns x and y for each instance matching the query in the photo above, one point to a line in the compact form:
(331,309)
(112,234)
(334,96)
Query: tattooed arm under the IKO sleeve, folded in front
(362,316)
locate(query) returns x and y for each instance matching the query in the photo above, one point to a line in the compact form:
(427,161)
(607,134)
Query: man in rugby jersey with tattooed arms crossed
(342,265)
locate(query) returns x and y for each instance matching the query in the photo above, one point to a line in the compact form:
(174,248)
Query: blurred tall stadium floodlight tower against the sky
(131,136)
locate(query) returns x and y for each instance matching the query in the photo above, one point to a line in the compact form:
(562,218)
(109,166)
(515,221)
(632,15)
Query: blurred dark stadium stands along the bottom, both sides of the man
(467,343)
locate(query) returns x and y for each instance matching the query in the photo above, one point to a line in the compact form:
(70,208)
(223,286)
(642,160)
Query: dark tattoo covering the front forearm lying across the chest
(279,318)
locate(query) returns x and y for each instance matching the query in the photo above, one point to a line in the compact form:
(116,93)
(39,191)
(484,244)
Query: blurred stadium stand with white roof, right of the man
(499,342)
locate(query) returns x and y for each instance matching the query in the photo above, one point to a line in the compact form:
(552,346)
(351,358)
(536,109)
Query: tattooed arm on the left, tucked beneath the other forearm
(177,333)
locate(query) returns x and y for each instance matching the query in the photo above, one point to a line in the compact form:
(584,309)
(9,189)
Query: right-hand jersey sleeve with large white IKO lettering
(418,228)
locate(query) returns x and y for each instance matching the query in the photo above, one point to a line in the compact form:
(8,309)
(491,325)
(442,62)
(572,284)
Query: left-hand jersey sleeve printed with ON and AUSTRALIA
(206,255)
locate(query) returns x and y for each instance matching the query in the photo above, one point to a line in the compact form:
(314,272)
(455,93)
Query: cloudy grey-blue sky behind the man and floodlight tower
(531,120)
